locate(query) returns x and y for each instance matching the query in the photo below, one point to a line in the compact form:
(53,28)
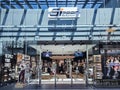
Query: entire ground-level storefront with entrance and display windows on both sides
(97,66)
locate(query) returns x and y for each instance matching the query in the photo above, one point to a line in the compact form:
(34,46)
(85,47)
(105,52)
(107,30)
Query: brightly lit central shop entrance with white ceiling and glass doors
(58,65)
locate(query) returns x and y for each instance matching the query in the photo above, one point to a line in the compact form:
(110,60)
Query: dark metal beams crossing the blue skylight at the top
(46,2)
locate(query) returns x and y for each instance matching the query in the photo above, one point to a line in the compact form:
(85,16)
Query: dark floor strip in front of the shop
(58,87)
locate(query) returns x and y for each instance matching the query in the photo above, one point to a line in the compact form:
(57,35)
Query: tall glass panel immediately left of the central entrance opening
(31,63)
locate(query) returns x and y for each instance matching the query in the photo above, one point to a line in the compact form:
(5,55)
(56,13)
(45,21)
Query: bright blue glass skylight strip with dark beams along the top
(44,4)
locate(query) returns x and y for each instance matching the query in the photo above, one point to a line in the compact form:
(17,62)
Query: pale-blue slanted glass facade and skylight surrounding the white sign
(88,27)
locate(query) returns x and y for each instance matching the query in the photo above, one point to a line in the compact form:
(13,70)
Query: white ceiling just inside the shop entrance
(62,49)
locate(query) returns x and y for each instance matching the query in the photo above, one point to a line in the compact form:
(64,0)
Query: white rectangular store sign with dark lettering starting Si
(63,12)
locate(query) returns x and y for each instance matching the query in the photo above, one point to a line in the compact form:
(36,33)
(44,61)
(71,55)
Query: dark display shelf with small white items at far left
(8,68)
